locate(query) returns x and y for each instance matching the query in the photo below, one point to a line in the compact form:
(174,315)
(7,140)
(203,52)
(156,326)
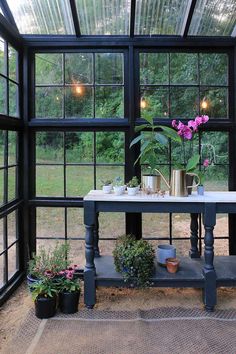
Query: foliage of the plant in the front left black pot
(46,287)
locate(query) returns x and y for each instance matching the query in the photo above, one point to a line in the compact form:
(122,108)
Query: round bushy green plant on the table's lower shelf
(134,259)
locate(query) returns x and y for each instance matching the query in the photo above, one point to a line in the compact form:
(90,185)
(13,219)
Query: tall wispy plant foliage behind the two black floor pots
(49,262)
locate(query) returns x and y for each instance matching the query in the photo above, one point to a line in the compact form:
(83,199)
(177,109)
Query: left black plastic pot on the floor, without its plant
(45,307)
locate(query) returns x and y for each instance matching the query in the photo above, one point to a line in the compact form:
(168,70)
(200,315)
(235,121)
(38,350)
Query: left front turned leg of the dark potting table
(89,270)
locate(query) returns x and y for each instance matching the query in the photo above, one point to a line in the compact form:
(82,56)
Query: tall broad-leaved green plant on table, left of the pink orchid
(153,141)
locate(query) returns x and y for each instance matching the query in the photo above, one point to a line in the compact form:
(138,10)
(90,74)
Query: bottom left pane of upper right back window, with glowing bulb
(155,101)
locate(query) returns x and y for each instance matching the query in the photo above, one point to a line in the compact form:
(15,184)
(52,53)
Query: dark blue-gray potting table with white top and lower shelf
(205,272)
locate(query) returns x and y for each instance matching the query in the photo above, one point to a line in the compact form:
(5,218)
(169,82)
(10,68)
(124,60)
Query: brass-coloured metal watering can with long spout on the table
(177,186)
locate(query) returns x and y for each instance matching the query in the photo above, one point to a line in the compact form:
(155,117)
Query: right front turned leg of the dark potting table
(209,270)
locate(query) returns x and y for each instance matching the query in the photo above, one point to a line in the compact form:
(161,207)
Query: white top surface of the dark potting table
(209,197)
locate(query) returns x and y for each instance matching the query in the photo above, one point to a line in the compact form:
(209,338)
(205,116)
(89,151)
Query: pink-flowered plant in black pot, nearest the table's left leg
(69,291)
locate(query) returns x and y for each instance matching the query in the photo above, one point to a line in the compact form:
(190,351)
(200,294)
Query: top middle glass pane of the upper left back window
(79,68)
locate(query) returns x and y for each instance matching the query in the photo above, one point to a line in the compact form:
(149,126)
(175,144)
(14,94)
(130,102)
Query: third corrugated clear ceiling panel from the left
(159,16)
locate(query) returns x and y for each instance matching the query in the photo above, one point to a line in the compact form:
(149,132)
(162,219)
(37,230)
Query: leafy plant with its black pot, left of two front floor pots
(44,294)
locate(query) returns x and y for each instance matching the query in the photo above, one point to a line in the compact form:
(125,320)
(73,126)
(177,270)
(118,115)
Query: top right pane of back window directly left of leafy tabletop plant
(110,147)
